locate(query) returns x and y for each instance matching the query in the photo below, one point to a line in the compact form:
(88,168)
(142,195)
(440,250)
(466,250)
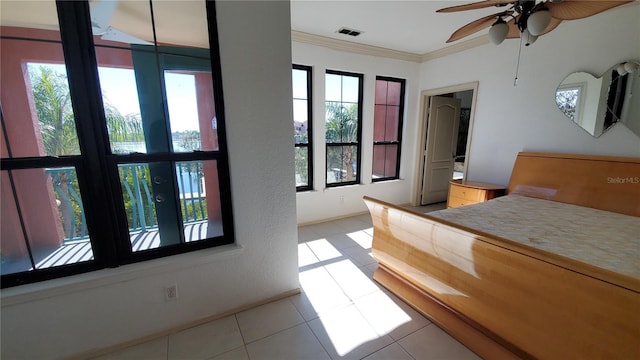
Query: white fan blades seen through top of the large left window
(101,14)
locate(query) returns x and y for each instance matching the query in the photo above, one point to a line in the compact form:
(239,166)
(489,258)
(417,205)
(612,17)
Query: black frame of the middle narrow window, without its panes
(358,144)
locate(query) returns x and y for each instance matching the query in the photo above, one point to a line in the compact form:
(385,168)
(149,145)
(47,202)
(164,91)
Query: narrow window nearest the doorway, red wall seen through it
(387,128)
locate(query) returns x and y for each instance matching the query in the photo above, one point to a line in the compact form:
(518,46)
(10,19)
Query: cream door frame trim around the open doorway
(423,121)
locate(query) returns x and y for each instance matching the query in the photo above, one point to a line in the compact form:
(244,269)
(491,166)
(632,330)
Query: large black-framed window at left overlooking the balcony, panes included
(110,156)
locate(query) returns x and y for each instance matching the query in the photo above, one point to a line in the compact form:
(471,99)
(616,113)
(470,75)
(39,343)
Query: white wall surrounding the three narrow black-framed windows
(324,203)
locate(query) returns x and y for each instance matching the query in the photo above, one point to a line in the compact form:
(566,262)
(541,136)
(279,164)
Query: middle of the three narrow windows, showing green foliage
(343,127)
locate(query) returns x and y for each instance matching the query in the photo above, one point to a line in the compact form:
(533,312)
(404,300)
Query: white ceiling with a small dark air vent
(408,26)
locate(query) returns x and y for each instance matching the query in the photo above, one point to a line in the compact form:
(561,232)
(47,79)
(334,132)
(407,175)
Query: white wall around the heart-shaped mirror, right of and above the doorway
(510,119)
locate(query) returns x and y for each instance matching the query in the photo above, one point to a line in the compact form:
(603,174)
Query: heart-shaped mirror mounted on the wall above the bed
(598,103)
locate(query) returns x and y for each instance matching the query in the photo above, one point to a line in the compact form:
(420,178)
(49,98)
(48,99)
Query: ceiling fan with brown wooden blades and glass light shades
(527,18)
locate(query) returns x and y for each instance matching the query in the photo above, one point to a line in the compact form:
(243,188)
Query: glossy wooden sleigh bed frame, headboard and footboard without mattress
(506,300)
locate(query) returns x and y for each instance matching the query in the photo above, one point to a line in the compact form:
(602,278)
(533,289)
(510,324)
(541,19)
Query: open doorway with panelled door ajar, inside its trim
(446,124)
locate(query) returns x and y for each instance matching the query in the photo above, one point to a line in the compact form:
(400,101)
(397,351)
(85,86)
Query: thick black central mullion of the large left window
(81,63)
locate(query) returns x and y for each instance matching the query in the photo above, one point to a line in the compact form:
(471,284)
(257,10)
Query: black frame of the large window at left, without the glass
(96,168)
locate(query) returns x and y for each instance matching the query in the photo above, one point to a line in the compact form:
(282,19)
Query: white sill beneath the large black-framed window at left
(62,286)
